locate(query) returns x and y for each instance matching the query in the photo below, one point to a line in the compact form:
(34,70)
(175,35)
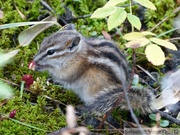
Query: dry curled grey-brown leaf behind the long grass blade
(26,37)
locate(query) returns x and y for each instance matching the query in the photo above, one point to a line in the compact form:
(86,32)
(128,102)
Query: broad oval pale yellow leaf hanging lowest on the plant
(155,54)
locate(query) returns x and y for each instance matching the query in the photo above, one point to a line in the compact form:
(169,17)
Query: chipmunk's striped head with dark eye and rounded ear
(58,50)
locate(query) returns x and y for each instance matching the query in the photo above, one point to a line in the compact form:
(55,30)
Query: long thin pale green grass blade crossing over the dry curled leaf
(12,25)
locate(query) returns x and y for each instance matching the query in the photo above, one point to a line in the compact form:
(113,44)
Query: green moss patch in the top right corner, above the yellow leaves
(164,9)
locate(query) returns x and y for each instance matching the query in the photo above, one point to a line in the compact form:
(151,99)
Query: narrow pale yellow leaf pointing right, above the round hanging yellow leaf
(164,43)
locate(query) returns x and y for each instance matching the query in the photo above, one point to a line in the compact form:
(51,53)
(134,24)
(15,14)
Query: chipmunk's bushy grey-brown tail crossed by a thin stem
(140,100)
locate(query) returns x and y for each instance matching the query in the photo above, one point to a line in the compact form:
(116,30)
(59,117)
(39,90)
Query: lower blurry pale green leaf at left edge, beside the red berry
(5,91)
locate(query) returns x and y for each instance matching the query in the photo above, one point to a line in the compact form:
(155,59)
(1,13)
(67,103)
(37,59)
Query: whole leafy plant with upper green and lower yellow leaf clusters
(117,16)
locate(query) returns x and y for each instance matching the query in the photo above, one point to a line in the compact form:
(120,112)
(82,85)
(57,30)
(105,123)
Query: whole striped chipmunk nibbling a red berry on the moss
(95,69)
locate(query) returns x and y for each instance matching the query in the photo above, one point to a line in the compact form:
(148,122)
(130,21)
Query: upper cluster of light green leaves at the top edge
(117,15)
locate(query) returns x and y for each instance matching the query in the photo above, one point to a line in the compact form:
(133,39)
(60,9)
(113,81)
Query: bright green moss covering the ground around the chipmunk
(34,108)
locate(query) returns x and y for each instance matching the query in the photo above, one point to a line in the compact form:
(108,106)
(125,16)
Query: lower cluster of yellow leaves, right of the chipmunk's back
(139,39)
